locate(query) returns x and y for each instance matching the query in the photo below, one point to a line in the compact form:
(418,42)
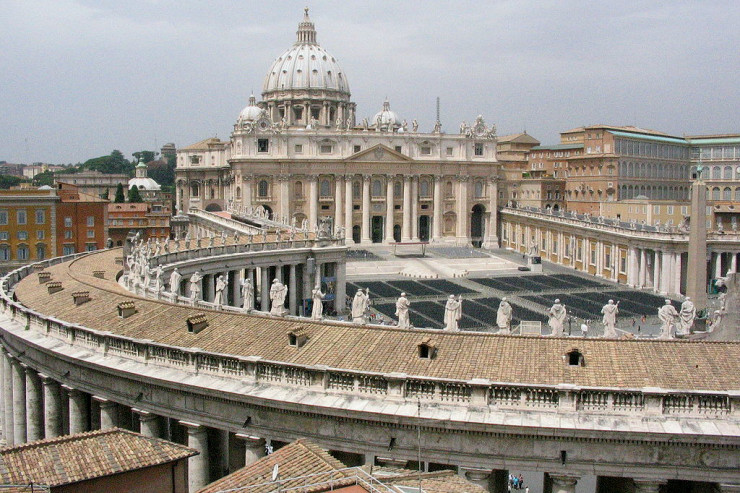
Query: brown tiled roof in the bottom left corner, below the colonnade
(73,458)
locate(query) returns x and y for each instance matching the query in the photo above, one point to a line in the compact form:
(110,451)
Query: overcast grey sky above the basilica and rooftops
(83,77)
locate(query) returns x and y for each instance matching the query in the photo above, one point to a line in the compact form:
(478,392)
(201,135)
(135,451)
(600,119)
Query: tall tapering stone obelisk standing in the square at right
(696,276)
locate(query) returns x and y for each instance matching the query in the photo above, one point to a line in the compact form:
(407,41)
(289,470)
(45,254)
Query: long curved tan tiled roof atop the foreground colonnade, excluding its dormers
(678,365)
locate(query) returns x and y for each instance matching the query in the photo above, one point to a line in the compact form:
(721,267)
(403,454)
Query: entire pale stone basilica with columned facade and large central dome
(301,153)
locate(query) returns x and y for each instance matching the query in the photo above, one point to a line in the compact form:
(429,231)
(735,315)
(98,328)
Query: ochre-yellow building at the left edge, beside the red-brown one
(27,226)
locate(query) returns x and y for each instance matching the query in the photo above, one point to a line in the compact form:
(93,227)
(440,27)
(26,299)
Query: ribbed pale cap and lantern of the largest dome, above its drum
(305,66)
